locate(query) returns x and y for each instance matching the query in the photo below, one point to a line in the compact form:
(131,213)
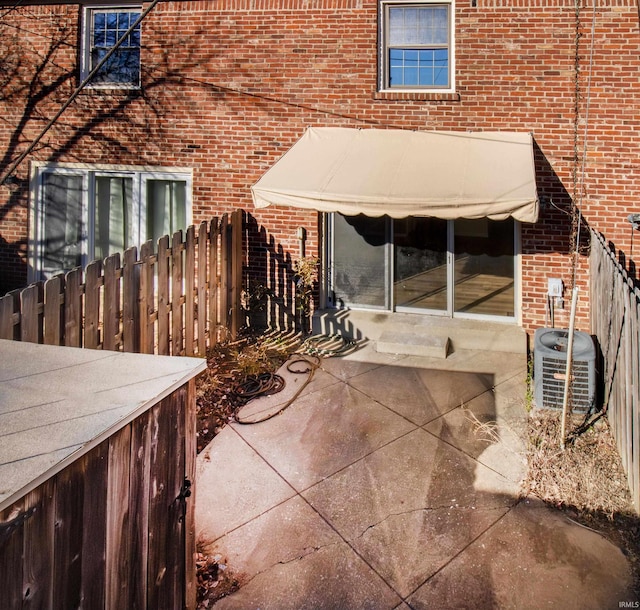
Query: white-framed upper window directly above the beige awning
(417,46)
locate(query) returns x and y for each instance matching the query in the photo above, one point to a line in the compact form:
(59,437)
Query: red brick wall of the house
(230,85)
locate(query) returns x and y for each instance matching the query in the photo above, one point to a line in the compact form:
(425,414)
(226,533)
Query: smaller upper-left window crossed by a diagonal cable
(104,27)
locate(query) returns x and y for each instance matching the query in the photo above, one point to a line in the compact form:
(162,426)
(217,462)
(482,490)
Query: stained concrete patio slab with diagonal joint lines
(394,482)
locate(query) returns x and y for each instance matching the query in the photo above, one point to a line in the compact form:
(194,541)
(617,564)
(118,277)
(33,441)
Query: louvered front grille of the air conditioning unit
(553,374)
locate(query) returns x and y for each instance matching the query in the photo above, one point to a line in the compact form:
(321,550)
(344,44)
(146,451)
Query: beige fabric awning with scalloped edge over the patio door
(405,173)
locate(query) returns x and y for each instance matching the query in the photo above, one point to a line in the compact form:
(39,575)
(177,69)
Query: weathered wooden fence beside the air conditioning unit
(615,313)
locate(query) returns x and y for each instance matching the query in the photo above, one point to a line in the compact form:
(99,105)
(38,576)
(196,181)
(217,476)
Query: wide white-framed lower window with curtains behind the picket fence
(81,214)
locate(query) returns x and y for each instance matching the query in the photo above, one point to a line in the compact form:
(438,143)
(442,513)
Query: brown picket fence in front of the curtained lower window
(175,301)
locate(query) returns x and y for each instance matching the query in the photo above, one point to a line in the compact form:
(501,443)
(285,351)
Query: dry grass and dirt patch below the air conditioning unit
(585,479)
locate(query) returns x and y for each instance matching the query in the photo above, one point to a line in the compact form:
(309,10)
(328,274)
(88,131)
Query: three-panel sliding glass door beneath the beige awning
(461,268)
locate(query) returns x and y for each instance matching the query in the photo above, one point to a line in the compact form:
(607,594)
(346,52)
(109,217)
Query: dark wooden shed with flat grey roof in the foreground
(97,456)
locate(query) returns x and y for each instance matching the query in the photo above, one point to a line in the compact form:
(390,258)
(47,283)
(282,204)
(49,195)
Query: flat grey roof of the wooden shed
(57,403)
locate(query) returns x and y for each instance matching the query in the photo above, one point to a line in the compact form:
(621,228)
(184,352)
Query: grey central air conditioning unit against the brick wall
(550,367)
